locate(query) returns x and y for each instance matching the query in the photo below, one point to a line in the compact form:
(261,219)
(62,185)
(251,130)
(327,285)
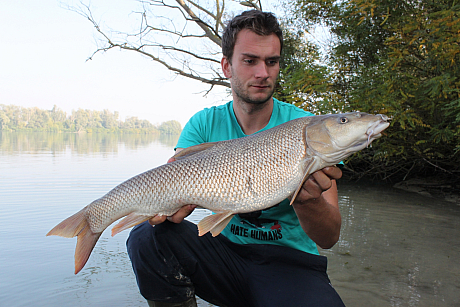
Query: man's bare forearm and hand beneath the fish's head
(317,207)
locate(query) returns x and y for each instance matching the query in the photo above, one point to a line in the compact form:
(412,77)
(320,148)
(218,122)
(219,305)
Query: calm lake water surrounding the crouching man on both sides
(396,248)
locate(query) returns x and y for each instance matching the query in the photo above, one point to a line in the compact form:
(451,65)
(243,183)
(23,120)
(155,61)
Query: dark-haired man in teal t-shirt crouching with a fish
(264,258)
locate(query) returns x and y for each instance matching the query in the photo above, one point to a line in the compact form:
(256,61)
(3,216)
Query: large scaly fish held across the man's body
(228,177)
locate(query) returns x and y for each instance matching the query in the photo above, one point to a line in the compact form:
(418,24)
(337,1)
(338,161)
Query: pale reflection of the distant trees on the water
(81,143)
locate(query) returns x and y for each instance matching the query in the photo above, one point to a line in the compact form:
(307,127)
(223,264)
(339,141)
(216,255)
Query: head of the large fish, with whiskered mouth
(334,137)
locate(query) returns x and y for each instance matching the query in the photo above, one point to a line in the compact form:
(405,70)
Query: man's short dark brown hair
(261,23)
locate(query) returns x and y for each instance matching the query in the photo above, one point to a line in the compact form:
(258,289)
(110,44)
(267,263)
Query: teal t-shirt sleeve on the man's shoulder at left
(193,132)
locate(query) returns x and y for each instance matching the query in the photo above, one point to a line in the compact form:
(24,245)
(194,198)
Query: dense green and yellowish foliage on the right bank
(399,58)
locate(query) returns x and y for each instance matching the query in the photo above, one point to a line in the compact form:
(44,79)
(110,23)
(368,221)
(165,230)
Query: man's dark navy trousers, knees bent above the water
(172,263)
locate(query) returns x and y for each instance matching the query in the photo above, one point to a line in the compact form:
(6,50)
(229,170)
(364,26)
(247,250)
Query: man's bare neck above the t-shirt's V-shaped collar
(252,117)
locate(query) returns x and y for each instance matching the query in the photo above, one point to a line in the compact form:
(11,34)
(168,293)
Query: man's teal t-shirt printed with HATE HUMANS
(277,225)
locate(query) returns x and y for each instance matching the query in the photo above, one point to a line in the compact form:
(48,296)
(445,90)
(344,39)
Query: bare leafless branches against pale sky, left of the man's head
(182,35)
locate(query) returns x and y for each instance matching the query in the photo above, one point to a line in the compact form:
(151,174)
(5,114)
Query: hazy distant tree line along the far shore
(16,118)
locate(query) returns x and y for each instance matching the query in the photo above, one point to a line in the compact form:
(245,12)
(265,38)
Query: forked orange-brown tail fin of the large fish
(77,225)
